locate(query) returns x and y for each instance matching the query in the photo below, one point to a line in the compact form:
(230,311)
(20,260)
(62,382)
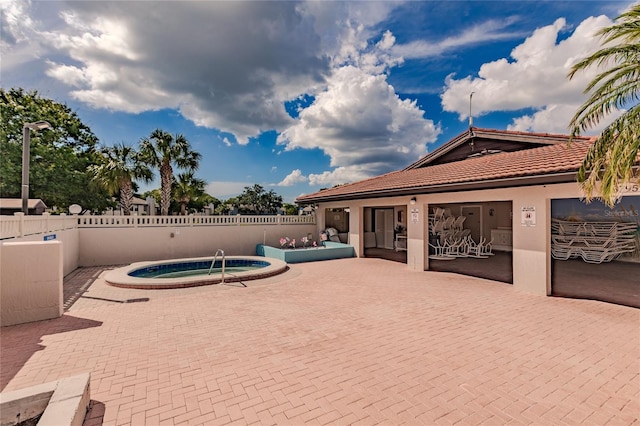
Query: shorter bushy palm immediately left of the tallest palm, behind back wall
(122,166)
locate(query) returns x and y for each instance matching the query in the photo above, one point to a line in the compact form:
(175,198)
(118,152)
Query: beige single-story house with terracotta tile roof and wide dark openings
(501,187)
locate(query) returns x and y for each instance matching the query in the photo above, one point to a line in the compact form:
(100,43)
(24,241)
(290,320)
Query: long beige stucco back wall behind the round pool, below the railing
(113,246)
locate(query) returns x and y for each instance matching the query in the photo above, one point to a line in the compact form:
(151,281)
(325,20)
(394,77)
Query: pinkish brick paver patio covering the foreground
(351,341)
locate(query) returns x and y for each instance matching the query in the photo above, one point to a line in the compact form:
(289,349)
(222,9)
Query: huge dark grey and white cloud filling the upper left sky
(122,56)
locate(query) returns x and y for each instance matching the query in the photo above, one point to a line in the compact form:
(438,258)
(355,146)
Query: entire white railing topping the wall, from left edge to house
(21,225)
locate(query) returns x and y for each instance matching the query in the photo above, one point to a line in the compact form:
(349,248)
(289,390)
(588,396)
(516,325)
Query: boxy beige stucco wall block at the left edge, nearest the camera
(30,281)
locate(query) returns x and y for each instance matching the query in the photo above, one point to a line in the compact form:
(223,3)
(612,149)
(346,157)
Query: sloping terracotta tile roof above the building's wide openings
(548,160)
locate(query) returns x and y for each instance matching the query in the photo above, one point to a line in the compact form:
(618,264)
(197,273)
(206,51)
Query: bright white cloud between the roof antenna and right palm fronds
(535,78)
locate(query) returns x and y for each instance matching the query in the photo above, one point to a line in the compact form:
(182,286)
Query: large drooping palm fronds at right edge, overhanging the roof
(609,164)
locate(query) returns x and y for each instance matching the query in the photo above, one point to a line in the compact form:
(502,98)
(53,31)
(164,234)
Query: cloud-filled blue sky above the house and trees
(297,96)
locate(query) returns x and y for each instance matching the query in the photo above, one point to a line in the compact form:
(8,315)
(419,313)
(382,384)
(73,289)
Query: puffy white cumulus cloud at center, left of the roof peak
(359,120)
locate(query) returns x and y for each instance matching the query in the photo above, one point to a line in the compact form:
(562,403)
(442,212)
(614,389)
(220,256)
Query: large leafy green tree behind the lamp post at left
(60,156)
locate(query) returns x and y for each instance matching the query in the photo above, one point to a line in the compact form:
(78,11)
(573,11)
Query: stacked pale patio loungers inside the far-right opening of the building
(594,242)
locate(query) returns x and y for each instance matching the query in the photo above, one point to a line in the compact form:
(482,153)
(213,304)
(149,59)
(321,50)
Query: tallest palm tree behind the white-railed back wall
(162,150)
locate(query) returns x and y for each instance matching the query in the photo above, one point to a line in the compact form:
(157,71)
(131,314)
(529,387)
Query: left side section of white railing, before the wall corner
(21,225)
